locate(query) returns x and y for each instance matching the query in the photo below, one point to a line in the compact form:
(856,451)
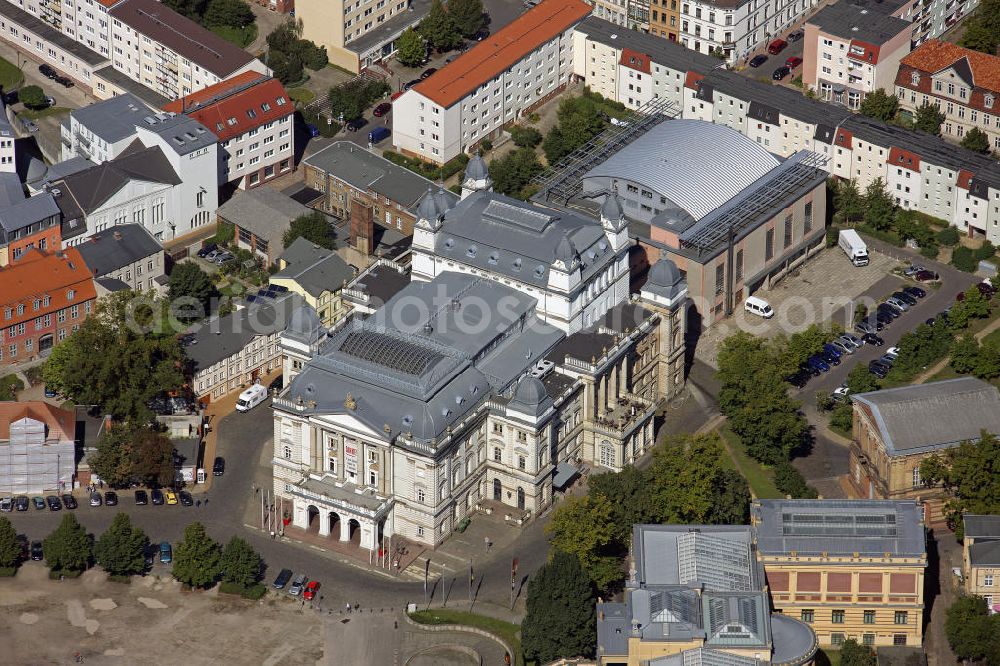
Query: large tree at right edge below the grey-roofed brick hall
(970,476)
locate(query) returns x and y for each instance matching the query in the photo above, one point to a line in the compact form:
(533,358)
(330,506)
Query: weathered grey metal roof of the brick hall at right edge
(936,415)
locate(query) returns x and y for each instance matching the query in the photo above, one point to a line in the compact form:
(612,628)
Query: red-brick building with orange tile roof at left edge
(44,296)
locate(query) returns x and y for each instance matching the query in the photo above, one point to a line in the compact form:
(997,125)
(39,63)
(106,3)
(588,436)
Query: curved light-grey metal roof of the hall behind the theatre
(698,166)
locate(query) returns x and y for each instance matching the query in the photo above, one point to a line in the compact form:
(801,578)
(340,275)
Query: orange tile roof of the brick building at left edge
(39,274)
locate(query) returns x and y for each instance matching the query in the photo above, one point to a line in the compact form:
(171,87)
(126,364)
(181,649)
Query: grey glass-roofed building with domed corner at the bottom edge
(696,594)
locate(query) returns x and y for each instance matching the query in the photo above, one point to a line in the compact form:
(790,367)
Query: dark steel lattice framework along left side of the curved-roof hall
(564,180)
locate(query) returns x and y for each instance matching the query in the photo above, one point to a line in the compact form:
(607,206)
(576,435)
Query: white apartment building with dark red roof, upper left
(251,115)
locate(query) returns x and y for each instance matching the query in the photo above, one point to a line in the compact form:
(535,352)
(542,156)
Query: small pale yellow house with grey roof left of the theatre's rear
(316,274)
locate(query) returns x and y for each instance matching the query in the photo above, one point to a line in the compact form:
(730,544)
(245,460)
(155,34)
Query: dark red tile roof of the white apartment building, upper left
(224,107)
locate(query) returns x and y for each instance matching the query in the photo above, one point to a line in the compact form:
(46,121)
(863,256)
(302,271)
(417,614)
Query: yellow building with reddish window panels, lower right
(848,568)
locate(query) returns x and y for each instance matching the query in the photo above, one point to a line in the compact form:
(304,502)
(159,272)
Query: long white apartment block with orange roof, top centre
(493,84)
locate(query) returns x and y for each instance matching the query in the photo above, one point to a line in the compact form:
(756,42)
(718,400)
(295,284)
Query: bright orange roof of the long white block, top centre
(498,52)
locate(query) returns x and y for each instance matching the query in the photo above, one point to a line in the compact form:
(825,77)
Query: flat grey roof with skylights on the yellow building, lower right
(840,527)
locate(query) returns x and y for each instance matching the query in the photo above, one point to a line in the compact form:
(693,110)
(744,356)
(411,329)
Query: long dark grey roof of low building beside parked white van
(215,339)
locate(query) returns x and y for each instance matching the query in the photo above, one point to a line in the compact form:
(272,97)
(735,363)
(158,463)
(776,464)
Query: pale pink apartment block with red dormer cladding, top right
(853,48)
